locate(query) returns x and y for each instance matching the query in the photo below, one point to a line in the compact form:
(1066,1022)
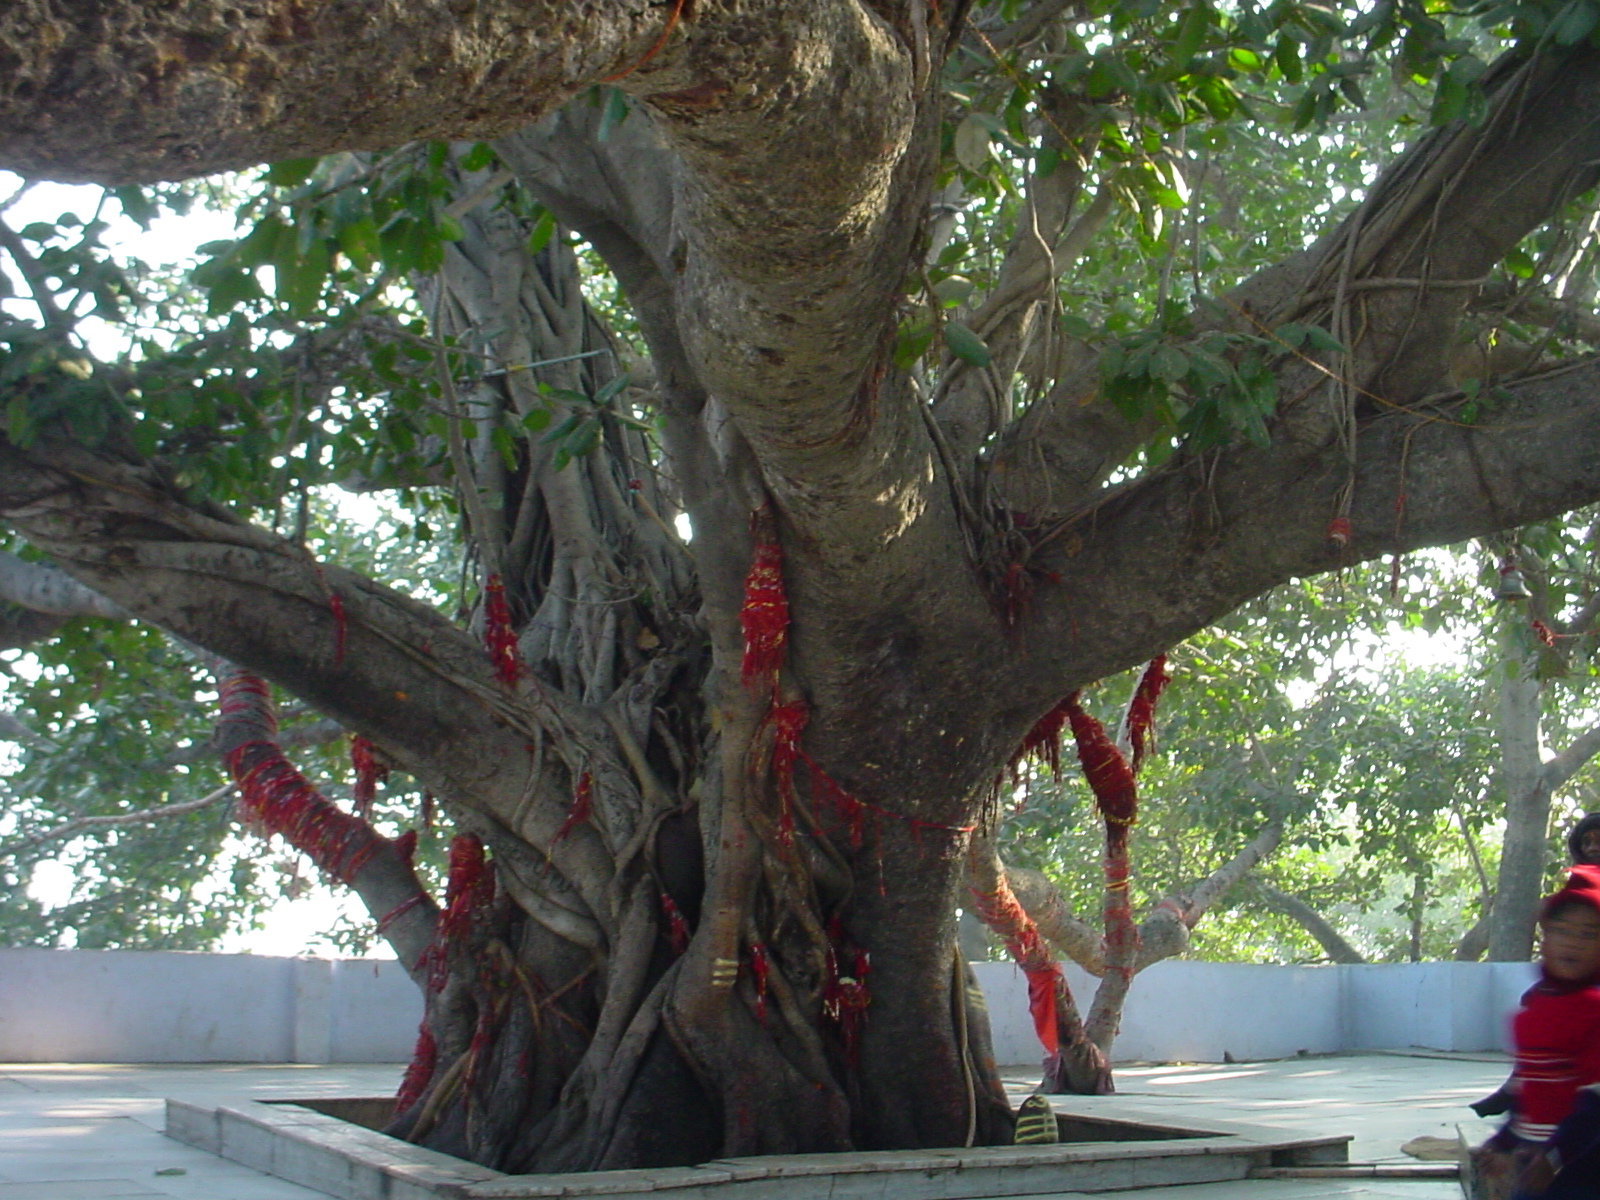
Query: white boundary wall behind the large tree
(161,1007)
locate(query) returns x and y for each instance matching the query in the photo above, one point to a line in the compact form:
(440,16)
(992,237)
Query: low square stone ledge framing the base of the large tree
(353,1162)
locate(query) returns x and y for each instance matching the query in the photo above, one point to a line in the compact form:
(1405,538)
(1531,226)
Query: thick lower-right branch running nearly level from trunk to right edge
(1158,561)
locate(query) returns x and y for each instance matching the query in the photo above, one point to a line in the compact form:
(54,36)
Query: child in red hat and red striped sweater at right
(1556,1114)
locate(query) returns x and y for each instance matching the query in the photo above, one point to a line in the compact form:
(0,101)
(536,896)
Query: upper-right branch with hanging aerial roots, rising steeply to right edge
(1390,278)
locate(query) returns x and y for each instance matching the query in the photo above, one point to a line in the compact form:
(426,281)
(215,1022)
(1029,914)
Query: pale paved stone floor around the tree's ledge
(74,1132)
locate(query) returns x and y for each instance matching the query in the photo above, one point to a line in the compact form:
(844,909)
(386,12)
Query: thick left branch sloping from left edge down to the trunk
(374,660)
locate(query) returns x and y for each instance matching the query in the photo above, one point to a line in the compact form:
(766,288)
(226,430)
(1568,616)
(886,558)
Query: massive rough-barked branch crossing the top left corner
(122,90)
